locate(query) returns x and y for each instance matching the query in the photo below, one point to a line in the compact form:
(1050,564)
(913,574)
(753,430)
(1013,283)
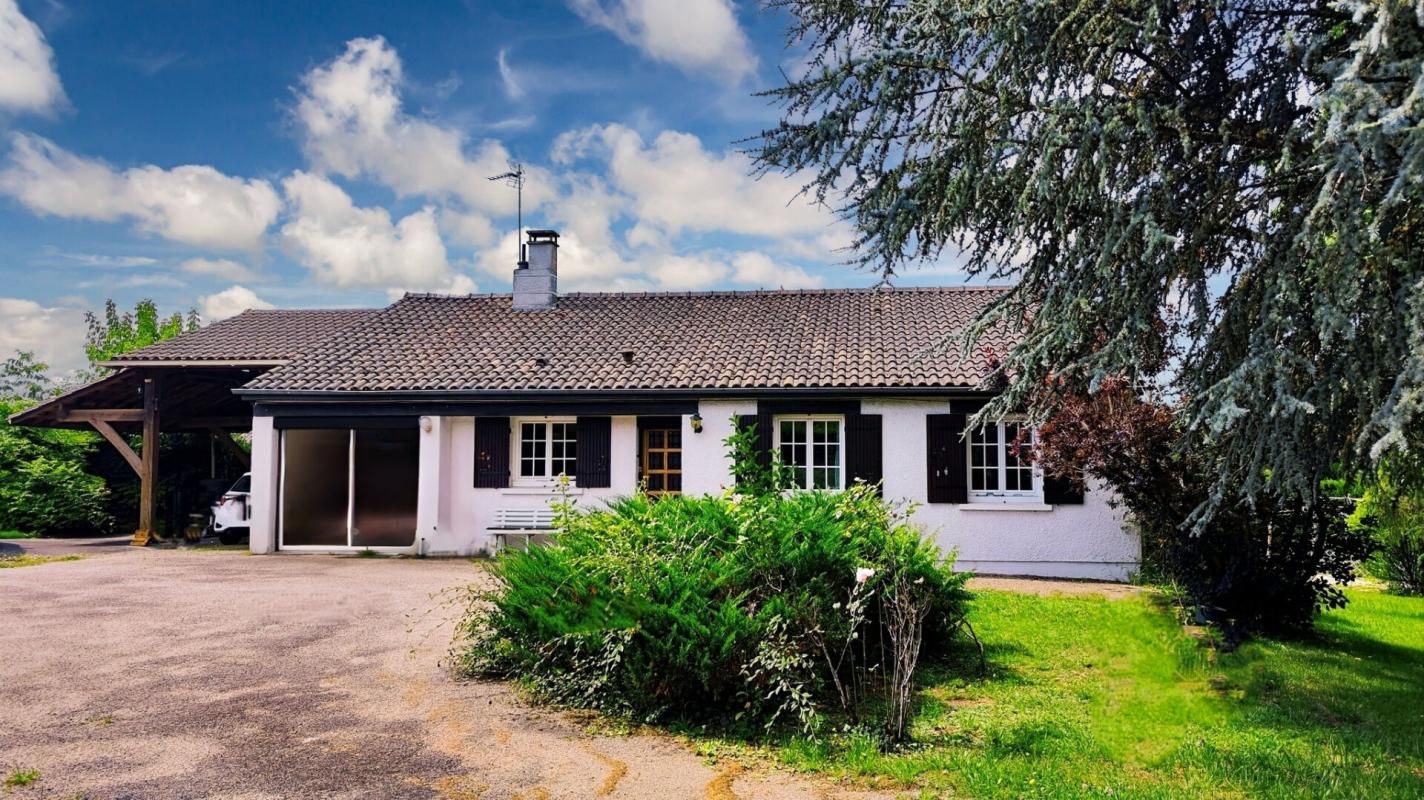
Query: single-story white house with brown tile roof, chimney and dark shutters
(442,423)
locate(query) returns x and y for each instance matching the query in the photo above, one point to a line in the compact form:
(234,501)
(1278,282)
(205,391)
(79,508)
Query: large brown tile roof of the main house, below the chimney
(788,340)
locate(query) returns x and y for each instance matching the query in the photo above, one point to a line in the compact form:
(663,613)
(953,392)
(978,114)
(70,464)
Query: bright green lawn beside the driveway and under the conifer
(1097,698)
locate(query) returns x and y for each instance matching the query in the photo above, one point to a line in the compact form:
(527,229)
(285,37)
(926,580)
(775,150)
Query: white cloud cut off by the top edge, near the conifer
(697,36)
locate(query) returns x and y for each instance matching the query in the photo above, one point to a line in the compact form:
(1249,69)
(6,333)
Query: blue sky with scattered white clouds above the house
(227,156)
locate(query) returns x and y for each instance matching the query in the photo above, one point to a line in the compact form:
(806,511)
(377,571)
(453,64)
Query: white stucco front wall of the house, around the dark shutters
(455,517)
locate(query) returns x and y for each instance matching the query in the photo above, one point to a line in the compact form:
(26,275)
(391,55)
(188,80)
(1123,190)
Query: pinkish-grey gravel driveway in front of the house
(167,674)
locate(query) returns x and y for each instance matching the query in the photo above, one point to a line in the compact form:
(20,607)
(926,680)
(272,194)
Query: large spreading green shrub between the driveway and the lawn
(740,610)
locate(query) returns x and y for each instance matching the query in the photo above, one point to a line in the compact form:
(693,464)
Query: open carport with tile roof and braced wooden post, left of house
(186,385)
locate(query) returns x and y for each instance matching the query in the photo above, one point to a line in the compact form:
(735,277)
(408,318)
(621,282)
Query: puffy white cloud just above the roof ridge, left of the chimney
(348,247)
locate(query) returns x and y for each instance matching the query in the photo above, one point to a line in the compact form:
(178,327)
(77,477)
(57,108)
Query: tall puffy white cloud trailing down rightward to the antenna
(351,117)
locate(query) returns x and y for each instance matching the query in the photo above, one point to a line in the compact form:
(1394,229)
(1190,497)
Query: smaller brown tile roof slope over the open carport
(276,335)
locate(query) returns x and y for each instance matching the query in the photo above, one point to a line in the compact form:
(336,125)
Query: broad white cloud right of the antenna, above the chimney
(677,186)
